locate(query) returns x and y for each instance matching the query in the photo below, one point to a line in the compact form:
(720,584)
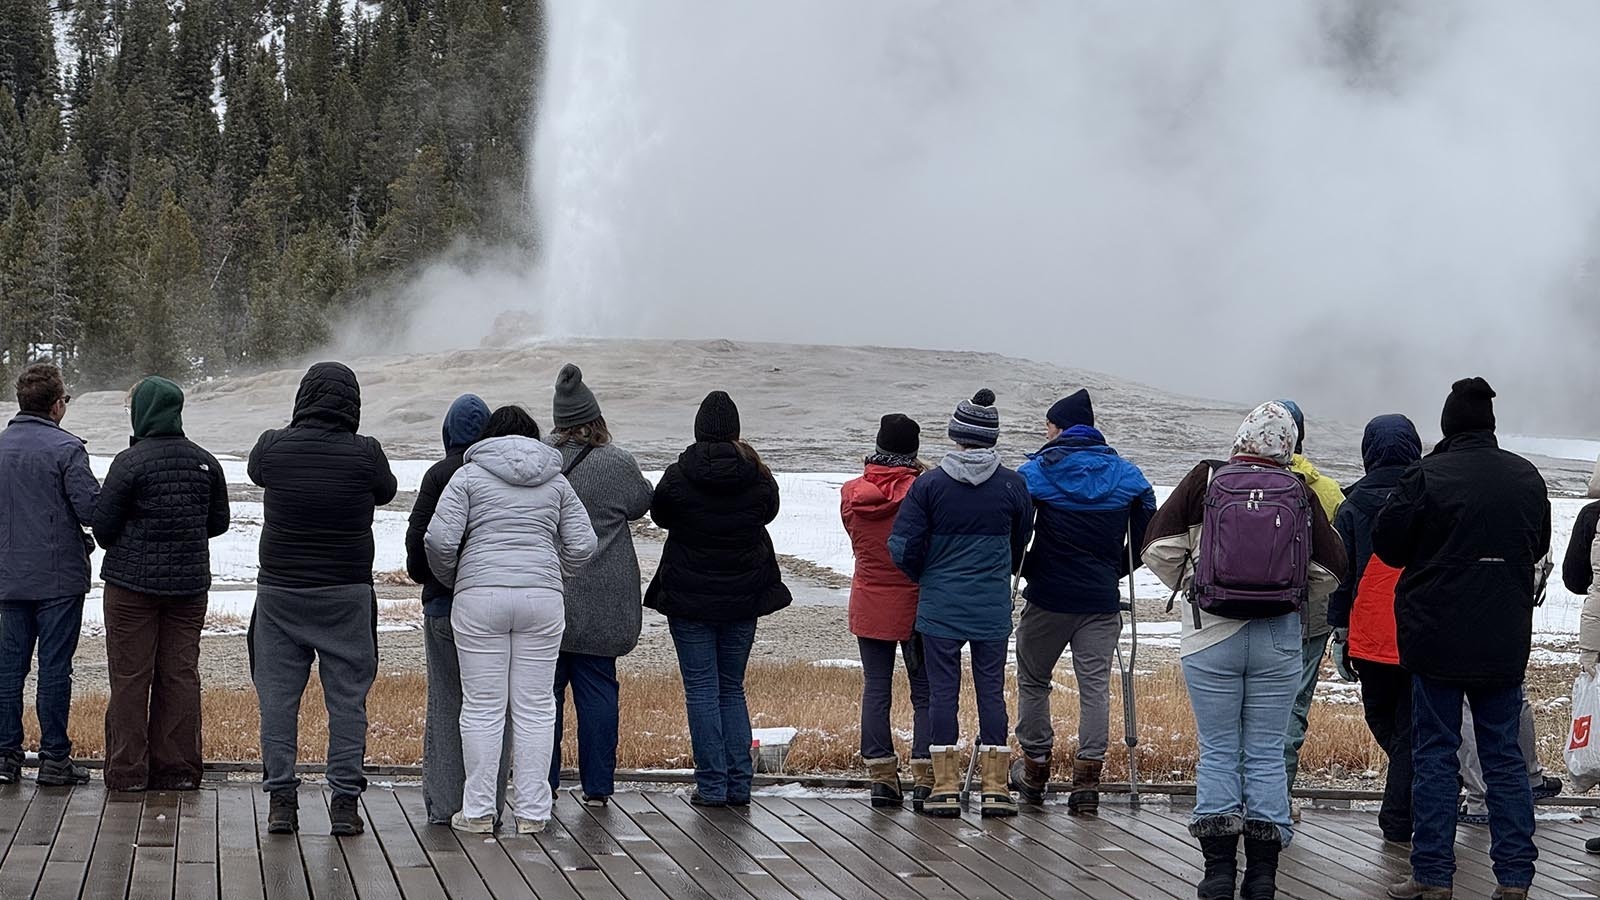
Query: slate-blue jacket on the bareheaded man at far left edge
(47,499)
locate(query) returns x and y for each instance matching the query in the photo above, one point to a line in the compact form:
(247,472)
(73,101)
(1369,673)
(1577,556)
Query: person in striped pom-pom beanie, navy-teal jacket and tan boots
(961,537)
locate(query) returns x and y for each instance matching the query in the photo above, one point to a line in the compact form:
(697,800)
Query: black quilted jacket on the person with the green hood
(162,504)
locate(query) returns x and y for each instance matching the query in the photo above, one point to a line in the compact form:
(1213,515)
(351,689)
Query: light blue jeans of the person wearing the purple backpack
(1242,693)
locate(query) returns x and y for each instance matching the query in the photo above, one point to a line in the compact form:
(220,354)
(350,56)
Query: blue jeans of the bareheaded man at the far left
(54,627)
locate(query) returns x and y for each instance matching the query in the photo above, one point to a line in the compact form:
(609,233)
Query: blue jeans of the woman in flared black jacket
(713,657)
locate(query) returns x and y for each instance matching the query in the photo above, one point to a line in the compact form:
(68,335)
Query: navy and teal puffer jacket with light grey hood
(961,536)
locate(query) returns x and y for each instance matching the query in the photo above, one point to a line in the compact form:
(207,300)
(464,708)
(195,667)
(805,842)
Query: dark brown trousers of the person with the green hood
(153,718)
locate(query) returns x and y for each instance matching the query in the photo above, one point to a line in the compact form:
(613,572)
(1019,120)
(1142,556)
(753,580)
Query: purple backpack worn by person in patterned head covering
(1255,544)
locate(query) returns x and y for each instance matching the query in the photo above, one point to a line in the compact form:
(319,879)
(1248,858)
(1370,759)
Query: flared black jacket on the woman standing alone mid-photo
(719,561)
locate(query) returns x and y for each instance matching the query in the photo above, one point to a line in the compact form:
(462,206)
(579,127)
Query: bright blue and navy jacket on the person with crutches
(1086,497)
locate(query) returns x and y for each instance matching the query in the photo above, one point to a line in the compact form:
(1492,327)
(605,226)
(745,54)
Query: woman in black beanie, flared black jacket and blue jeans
(718,576)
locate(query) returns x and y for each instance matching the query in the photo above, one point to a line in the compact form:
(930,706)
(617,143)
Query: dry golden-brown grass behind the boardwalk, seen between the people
(823,704)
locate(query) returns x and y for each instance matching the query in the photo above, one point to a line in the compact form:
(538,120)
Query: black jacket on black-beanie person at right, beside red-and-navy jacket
(1468,526)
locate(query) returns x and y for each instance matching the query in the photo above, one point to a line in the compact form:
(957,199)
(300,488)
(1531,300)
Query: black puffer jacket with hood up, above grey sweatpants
(321,483)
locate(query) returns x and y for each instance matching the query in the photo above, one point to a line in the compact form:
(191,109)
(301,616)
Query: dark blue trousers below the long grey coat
(594,702)
